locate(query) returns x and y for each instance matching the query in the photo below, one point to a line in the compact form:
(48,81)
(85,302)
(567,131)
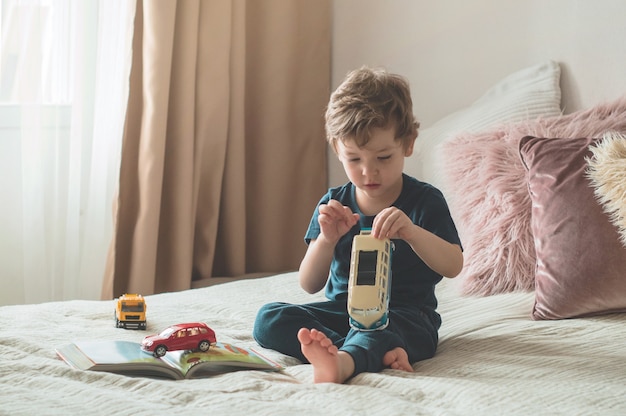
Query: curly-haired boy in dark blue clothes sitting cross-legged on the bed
(371,127)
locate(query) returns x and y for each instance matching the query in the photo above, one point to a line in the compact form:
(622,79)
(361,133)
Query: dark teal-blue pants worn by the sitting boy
(277,325)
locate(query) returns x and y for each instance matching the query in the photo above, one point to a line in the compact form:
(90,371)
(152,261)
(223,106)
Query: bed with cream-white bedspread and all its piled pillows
(524,331)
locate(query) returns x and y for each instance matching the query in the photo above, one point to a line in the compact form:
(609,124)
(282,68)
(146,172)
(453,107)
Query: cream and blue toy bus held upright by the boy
(369,284)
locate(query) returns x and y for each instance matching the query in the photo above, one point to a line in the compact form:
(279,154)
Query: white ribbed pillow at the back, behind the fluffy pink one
(523,95)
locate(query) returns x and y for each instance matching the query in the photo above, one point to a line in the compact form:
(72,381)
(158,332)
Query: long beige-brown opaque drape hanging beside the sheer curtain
(223,156)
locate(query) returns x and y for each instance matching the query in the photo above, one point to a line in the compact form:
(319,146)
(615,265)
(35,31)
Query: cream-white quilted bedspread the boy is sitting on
(492,359)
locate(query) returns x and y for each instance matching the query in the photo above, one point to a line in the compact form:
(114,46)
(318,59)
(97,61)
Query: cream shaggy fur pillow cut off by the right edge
(607,172)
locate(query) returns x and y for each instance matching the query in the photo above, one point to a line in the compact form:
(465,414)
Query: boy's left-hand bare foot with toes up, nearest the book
(329,364)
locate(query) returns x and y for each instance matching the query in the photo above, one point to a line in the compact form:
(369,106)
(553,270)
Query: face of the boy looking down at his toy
(375,169)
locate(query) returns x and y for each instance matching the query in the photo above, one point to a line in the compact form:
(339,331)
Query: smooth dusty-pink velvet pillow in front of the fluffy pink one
(581,263)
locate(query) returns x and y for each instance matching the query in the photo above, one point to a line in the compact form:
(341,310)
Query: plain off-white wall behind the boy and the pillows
(453,50)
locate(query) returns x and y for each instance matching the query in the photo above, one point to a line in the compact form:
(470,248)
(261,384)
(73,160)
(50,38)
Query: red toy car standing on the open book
(189,336)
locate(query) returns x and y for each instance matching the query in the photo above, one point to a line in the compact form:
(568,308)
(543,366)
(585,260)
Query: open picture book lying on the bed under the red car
(124,357)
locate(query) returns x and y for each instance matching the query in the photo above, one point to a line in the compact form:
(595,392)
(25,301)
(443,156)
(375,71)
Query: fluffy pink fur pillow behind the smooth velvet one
(486,187)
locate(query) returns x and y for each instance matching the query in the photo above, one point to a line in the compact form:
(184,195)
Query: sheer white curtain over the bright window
(64,67)
